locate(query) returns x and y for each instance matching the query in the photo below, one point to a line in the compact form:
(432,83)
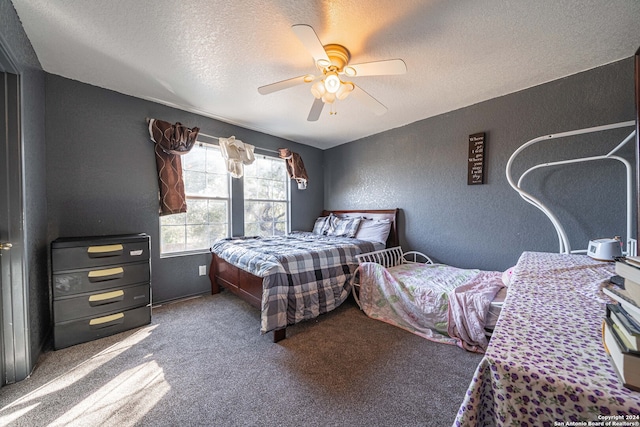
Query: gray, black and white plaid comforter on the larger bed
(304,274)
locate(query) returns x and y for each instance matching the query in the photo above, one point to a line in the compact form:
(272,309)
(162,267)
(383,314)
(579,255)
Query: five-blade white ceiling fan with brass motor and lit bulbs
(332,60)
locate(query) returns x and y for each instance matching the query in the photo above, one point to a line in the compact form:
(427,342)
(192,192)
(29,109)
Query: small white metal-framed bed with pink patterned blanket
(435,301)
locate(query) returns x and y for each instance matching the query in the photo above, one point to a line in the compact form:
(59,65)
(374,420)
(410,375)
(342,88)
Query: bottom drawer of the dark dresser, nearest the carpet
(90,328)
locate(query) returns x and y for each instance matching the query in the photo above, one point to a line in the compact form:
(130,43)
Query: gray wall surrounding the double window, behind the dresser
(102,177)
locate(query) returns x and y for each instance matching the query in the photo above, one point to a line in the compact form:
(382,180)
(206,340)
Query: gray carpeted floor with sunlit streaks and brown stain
(203,362)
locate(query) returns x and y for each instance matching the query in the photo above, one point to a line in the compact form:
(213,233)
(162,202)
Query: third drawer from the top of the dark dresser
(96,303)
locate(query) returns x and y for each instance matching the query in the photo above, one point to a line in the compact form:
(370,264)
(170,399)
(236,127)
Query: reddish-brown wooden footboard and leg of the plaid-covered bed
(243,284)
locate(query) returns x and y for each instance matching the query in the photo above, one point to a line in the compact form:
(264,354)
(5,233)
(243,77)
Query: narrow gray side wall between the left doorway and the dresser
(15,41)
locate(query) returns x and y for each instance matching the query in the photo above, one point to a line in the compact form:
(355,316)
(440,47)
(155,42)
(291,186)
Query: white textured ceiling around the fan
(210,56)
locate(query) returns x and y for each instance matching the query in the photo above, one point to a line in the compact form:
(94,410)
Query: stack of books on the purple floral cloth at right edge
(621,327)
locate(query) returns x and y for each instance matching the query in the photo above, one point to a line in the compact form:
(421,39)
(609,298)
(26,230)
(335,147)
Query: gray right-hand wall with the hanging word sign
(422,169)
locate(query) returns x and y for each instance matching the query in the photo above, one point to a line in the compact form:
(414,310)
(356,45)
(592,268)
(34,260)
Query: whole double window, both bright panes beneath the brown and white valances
(209,208)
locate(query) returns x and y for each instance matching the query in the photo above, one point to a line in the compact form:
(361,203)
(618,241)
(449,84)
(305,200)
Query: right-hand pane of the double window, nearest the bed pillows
(266,197)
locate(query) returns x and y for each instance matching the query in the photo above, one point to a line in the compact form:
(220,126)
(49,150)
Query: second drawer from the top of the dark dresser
(99,278)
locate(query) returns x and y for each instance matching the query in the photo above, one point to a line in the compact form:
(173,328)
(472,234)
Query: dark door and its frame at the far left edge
(14,299)
